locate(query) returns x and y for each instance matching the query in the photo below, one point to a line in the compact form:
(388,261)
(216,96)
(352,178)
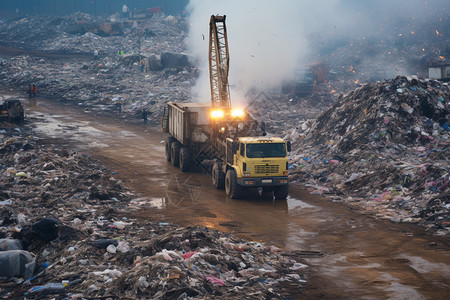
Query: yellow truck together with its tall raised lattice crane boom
(231,145)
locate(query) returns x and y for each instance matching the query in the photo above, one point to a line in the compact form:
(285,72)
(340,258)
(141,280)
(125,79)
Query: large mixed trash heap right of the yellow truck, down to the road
(383,147)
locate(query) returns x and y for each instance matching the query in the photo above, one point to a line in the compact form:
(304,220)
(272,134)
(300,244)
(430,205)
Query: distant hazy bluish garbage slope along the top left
(82,33)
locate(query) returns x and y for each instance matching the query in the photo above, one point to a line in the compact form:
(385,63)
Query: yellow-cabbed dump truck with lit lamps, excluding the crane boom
(197,135)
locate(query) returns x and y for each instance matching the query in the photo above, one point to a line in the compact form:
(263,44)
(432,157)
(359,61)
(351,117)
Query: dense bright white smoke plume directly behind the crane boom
(267,41)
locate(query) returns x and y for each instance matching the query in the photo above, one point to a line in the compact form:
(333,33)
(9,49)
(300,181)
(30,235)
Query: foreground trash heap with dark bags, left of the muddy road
(67,230)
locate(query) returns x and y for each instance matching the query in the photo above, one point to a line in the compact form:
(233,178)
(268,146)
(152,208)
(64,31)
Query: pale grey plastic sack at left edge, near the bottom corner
(16,263)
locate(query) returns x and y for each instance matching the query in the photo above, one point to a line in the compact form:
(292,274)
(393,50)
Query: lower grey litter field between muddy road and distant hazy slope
(101,85)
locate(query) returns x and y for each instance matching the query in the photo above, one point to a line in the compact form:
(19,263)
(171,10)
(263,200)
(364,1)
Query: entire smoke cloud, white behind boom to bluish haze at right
(268,40)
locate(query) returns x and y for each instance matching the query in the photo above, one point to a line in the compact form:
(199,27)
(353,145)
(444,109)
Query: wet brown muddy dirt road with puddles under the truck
(355,256)
